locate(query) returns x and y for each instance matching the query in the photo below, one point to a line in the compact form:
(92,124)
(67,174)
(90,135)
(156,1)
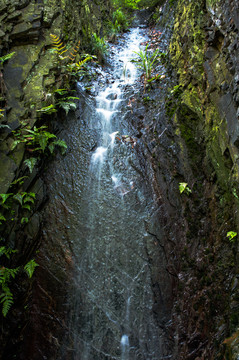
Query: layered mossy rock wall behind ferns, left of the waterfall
(27,83)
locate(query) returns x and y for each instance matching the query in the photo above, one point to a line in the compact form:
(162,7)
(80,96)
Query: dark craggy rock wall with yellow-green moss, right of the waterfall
(199,147)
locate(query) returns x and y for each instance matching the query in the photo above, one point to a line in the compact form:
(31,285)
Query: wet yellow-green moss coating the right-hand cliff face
(205,120)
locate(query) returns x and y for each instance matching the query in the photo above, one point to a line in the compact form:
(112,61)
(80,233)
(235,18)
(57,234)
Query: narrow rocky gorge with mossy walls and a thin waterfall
(175,255)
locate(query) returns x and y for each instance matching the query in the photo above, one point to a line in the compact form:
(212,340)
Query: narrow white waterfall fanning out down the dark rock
(107,204)
